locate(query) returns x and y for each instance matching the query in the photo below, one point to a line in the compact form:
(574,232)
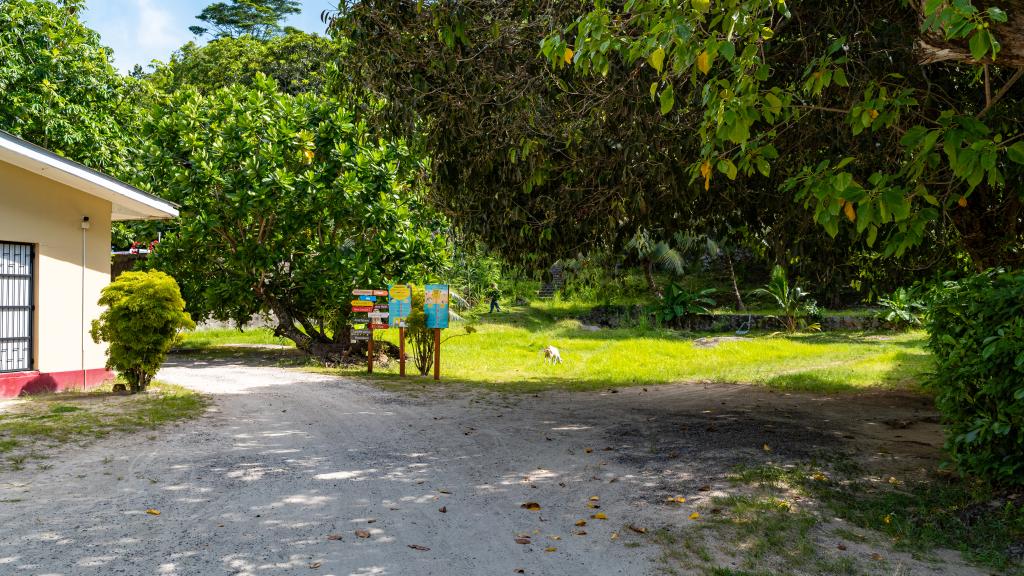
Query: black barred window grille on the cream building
(16,307)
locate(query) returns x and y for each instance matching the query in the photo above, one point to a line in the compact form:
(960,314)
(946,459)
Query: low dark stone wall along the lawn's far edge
(620,317)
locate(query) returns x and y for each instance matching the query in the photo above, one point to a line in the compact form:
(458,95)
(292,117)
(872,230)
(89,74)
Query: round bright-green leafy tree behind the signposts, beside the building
(288,204)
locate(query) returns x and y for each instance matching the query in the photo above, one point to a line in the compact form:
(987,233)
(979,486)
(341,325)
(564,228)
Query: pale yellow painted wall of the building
(37,211)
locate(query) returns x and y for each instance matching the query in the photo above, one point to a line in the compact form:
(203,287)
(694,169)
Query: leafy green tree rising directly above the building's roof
(58,88)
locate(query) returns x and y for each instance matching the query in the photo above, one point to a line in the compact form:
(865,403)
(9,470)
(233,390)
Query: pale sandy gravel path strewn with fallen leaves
(287,459)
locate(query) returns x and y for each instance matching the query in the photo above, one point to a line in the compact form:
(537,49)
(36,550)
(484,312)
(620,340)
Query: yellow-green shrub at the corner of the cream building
(145,313)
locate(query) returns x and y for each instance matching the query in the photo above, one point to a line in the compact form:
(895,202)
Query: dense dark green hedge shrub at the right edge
(976,332)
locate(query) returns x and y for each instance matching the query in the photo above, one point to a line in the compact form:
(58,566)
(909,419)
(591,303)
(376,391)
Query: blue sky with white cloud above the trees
(141,31)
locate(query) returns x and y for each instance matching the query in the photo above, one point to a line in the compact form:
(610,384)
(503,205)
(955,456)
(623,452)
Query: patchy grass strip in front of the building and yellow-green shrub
(31,426)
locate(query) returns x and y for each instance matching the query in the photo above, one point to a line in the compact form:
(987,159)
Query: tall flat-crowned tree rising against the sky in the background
(260,19)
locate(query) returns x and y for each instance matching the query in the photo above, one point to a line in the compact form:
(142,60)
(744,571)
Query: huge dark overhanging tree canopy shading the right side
(666,115)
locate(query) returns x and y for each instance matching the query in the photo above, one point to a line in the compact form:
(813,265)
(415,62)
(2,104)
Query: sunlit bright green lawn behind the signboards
(505,354)
